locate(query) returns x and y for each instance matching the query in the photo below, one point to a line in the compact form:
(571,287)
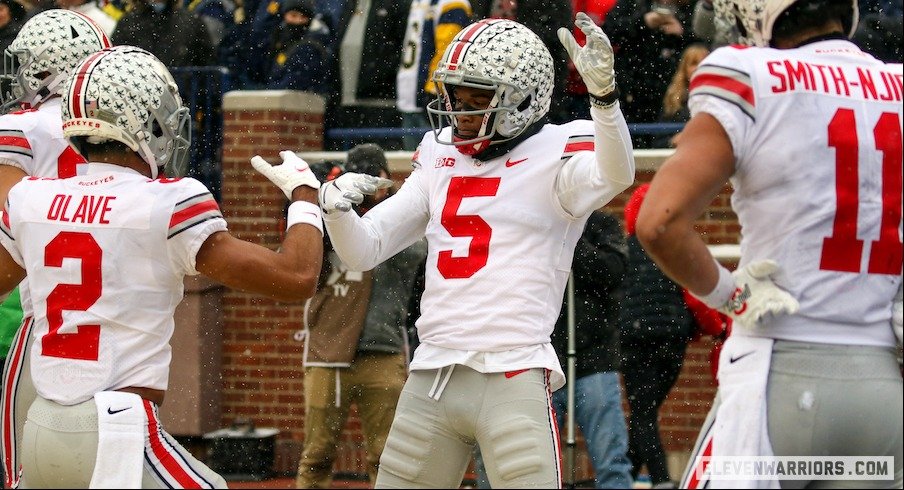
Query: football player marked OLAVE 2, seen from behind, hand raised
(106,253)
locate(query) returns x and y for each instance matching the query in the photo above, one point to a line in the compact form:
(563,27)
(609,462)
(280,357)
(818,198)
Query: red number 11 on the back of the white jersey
(842,251)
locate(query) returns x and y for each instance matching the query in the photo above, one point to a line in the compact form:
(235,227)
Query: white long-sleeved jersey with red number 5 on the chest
(501,237)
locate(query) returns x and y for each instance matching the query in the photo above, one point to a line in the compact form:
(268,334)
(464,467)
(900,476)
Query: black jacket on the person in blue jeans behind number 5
(600,262)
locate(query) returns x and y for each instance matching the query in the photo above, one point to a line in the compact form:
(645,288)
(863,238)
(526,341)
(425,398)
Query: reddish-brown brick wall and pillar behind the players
(262,375)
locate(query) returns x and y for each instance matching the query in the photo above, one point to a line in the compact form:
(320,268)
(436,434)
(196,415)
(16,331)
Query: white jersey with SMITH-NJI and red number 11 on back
(816,133)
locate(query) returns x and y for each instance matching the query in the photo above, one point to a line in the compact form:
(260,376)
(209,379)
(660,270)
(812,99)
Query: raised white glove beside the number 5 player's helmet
(595,61)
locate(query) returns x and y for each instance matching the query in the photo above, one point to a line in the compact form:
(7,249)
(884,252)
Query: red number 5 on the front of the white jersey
(466,225)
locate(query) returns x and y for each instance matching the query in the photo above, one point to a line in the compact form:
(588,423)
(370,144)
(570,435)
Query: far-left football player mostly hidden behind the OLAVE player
(35,68)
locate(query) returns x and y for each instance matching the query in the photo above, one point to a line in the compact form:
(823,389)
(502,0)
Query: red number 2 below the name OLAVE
(73,297)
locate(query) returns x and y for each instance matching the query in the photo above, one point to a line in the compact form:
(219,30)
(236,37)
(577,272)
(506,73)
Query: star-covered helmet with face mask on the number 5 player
(499,55)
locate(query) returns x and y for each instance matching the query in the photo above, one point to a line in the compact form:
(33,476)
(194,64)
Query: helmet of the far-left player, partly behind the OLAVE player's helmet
(45,50)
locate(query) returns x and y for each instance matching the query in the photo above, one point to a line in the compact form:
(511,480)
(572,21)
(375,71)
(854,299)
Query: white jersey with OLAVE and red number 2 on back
(105,255)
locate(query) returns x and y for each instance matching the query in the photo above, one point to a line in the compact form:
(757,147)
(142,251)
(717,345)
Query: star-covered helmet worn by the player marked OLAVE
(126,94)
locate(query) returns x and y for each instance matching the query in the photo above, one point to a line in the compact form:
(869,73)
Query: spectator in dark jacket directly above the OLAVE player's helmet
(174,35)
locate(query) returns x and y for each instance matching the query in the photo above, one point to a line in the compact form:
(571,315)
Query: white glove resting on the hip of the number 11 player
(756,296)
